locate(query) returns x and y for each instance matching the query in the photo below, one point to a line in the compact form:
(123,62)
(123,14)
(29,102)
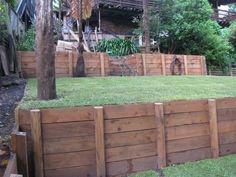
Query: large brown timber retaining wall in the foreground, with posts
(116,140)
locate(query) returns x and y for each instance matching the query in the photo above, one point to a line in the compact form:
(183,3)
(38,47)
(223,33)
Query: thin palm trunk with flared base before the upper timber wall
(80,67)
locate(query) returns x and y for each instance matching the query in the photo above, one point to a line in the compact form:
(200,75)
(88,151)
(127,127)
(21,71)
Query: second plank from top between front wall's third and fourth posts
(186,118)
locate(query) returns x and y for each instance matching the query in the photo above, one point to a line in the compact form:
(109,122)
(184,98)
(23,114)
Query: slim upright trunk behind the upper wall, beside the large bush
(146,26)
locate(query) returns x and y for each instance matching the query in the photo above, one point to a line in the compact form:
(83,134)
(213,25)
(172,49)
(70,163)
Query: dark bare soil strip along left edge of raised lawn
(11,92)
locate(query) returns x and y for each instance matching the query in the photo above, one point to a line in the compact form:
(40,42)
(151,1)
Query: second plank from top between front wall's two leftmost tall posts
(71,129)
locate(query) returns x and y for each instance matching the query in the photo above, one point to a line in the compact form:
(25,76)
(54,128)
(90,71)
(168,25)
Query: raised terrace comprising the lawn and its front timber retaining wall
(94,130)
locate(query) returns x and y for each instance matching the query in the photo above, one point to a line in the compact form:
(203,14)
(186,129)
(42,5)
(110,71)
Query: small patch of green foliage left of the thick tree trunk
(27,42)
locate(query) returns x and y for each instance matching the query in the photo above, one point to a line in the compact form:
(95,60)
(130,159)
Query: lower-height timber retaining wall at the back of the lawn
(99,64)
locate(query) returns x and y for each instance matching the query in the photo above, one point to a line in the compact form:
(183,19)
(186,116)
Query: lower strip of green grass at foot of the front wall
(222,167)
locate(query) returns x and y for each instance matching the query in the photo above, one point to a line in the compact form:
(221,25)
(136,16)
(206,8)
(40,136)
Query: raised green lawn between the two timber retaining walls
(119,90)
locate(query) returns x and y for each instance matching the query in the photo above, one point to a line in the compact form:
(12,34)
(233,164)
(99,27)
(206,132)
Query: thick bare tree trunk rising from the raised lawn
(45,51)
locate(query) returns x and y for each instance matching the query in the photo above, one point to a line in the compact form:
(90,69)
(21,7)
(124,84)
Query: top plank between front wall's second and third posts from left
(130,110)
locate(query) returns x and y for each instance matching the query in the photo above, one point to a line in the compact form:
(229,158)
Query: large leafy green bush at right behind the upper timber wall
(186,27)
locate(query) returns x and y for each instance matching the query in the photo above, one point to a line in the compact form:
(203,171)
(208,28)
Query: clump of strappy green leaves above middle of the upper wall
(117,47)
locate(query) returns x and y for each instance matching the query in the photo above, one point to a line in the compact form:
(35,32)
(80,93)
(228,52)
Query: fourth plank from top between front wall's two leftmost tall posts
(74,159)
